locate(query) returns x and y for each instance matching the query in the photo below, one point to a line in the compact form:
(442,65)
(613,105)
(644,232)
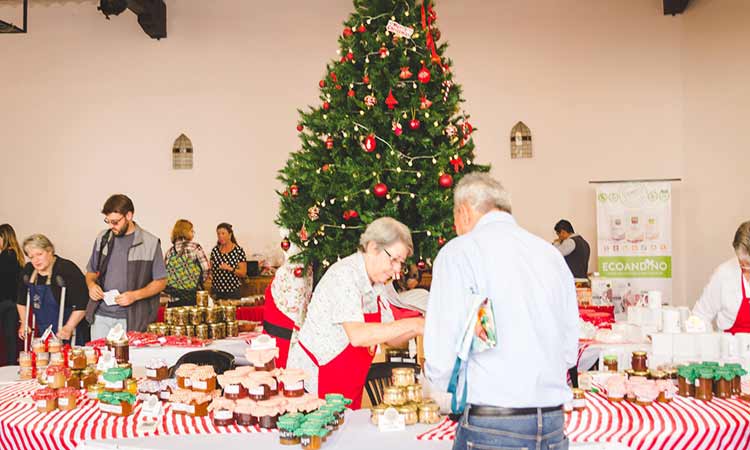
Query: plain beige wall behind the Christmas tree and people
(610,89)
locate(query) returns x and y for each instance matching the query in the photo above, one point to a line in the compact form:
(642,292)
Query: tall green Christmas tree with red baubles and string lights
(388,138)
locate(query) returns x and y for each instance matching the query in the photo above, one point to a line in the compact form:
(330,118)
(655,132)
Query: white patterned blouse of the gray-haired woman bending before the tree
(344,294)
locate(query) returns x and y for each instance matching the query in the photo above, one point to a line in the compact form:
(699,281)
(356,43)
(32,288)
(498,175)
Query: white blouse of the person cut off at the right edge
(722,296)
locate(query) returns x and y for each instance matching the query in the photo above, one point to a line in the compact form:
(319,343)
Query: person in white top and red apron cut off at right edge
(726,297)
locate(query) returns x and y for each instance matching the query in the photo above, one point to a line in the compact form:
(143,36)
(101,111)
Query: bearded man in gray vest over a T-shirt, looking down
(128,259)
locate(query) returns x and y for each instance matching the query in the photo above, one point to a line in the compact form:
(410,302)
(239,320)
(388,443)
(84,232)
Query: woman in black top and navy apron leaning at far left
(43,280)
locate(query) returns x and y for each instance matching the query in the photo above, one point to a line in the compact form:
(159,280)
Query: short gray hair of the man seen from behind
(482,193)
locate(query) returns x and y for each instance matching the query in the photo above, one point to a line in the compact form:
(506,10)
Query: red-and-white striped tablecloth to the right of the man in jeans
(685,423)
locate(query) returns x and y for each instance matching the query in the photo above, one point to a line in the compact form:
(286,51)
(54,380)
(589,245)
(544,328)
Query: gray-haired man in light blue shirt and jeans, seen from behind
(519,386)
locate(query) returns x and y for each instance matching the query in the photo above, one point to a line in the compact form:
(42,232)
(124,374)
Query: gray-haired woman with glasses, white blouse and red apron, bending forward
(346,318)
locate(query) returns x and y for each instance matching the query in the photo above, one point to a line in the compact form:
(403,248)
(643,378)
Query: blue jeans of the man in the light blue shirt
(530,432)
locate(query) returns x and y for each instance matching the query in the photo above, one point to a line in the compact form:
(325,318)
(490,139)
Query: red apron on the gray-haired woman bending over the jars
(347,373)
